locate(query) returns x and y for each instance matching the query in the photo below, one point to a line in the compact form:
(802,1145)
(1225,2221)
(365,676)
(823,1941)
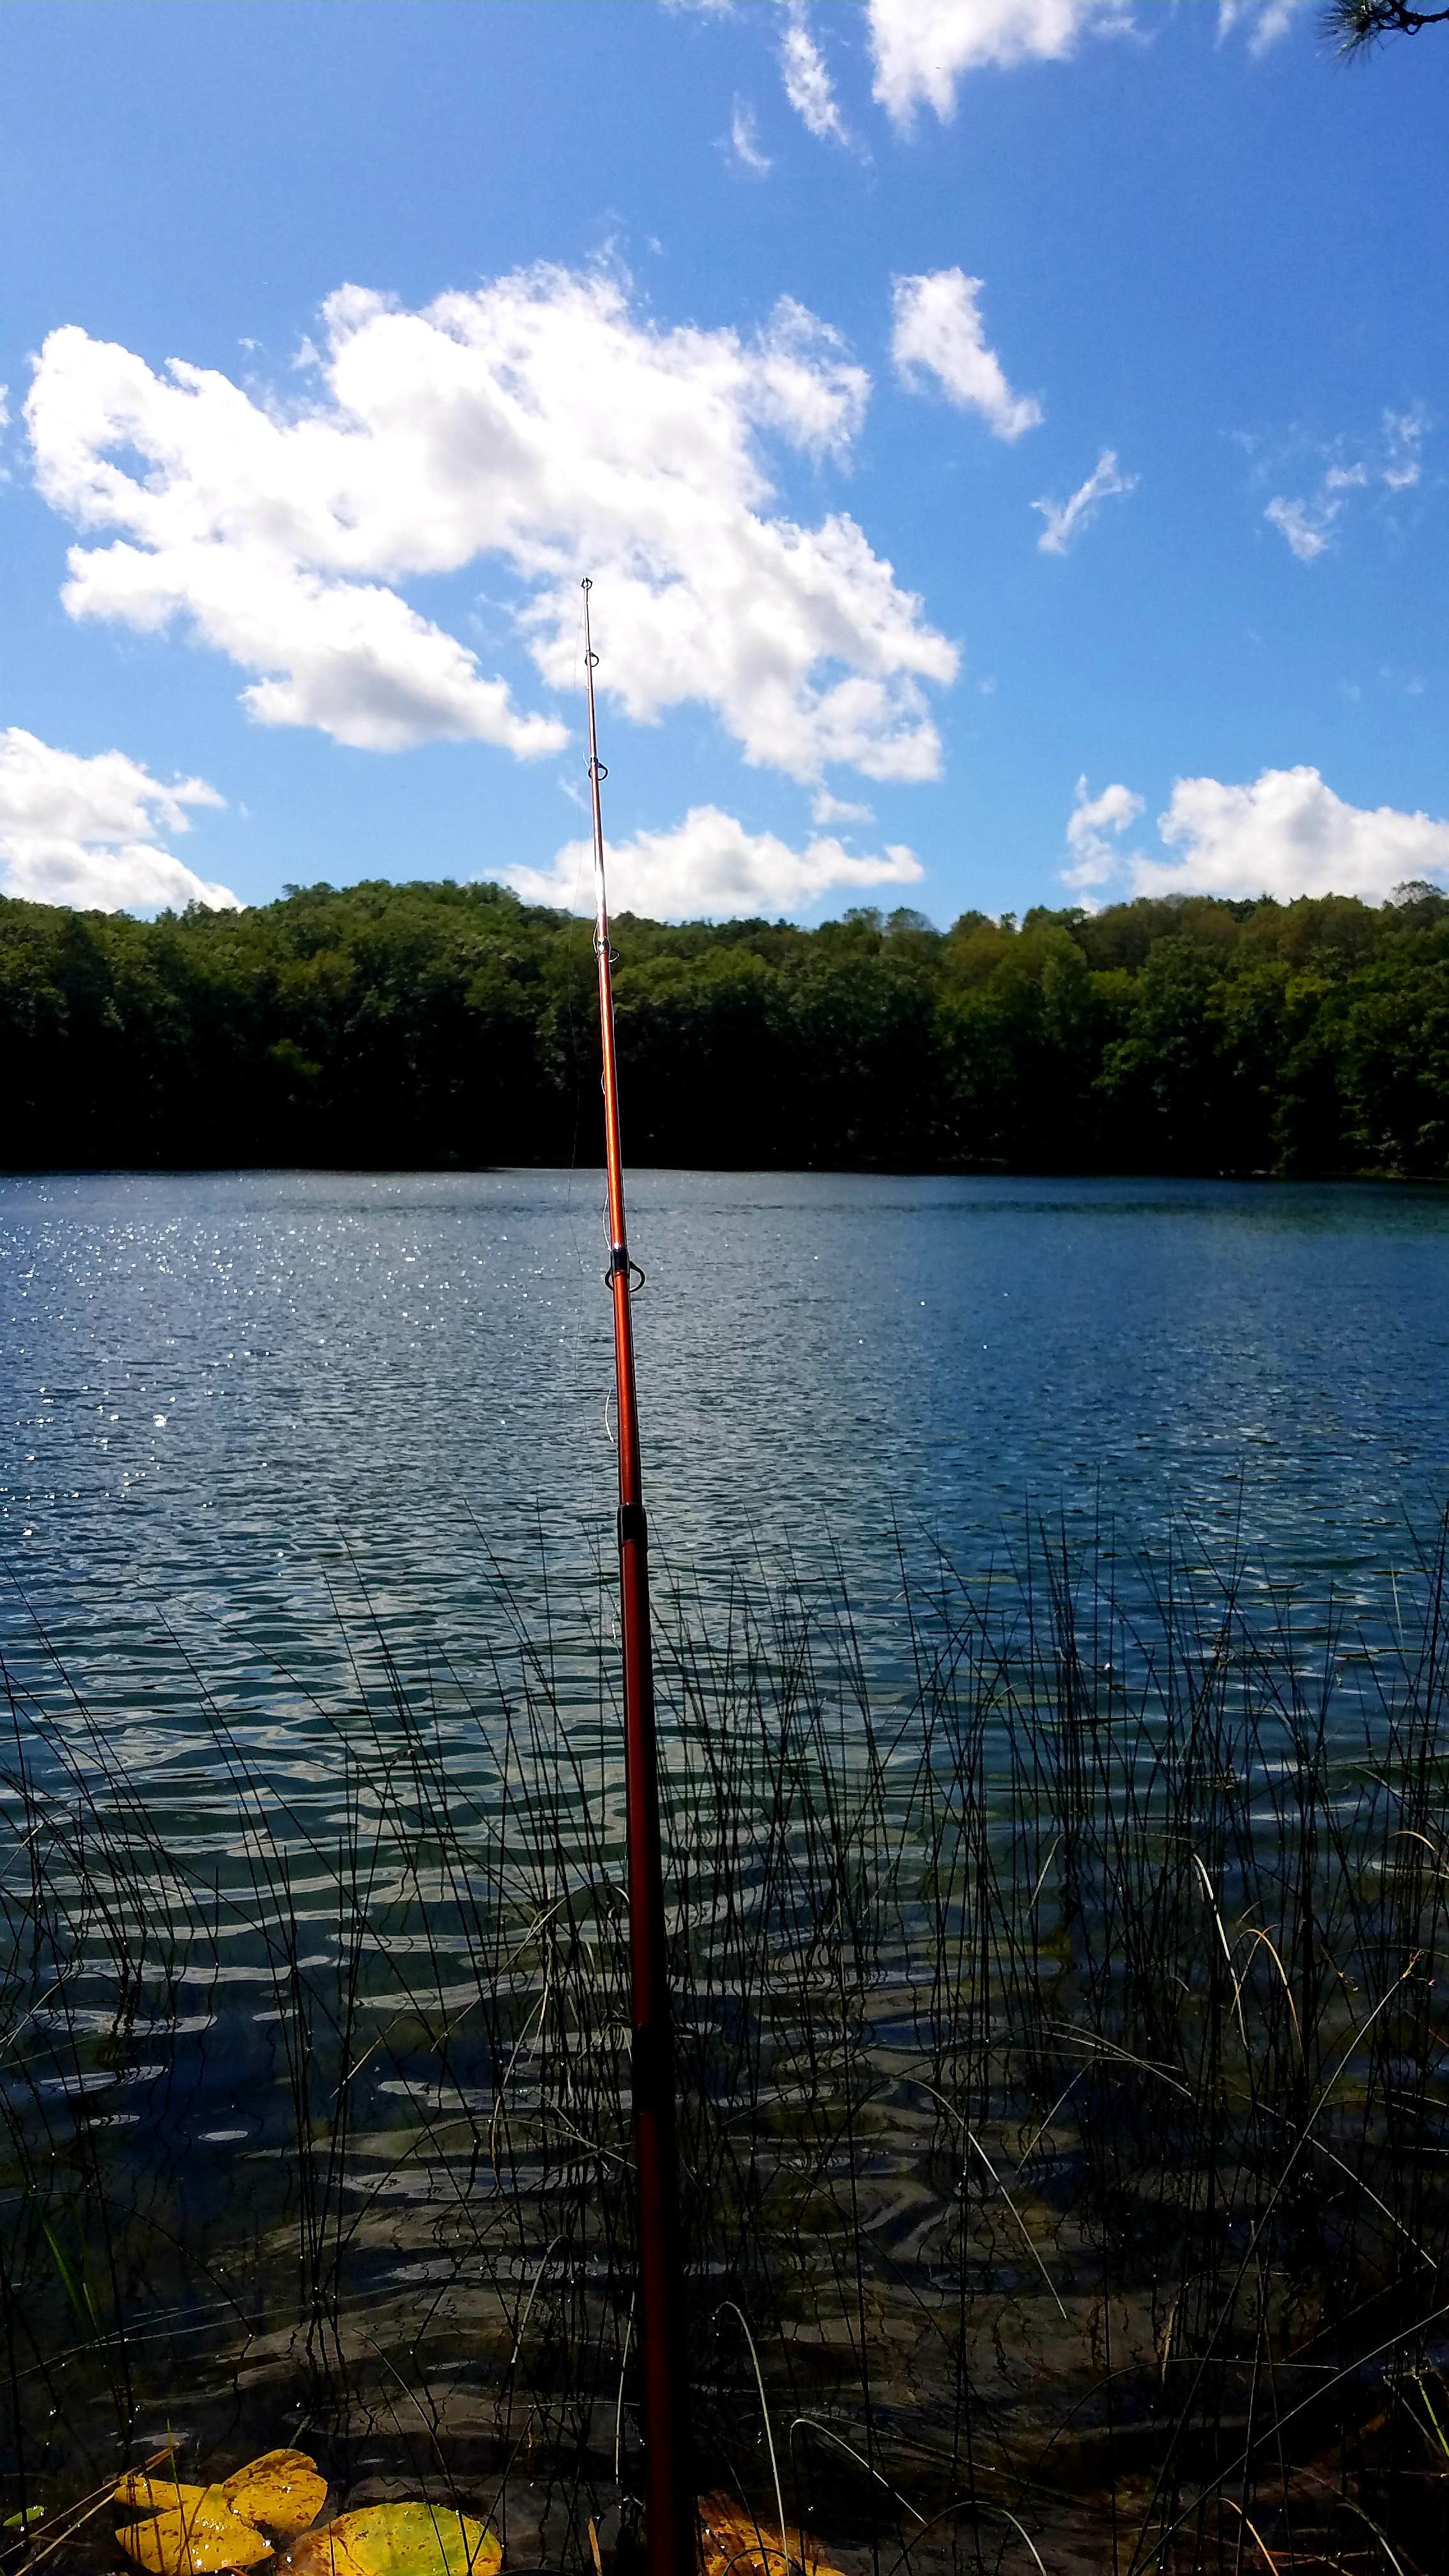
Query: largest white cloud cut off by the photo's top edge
(924,48)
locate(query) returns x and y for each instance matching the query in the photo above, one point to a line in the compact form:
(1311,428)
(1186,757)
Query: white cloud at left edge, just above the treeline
(84,831)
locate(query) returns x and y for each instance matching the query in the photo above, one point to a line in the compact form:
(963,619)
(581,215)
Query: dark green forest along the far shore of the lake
(452,1027)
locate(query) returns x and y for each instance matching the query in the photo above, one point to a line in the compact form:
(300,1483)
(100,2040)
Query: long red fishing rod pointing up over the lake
(669,2487)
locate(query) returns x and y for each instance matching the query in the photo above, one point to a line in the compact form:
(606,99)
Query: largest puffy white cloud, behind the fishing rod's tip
(538,421)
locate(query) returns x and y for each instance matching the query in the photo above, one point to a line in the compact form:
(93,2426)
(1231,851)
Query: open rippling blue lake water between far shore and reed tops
(231,1395)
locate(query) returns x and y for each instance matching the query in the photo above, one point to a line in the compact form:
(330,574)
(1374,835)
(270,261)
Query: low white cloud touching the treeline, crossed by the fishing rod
(710,869)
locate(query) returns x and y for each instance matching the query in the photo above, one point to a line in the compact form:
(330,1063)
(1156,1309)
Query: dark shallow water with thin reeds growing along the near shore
(1064,2060)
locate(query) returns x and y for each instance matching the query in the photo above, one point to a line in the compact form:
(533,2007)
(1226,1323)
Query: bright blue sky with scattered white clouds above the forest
(1009,439)
